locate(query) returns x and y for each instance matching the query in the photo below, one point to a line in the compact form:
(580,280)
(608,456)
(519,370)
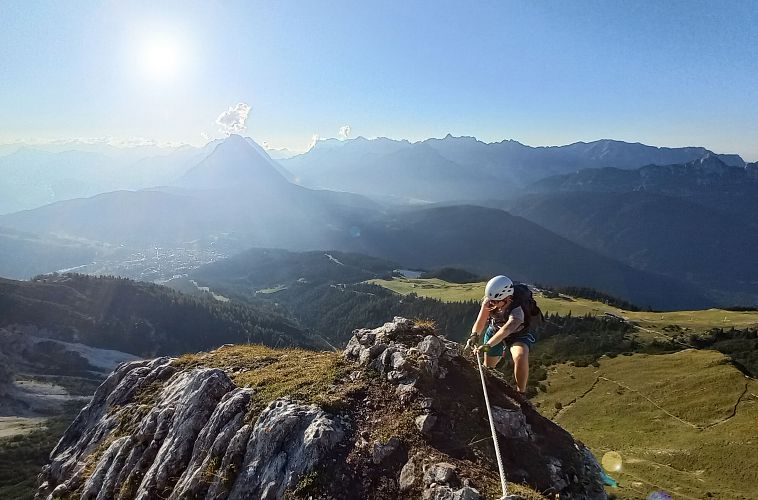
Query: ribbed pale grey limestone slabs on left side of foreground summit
(191,442)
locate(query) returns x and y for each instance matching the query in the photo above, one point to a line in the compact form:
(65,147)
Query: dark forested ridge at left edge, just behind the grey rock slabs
(139,318)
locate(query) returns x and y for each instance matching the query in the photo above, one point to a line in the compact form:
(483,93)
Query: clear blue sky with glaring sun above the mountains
(544,73)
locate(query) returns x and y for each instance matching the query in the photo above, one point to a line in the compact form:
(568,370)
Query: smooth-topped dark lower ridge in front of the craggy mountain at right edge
(649,231)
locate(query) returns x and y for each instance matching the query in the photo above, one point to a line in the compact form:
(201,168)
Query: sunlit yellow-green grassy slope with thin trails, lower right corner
(684,422)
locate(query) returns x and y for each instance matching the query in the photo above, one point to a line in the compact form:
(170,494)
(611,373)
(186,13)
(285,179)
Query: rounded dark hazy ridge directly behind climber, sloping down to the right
(488,241)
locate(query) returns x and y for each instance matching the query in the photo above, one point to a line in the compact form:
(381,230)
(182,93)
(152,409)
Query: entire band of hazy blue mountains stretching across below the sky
(636,243)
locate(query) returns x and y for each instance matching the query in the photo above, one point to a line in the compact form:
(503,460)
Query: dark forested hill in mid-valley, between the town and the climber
(324,292)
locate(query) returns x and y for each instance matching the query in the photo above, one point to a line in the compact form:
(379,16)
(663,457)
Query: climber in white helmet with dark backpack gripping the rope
(507,326)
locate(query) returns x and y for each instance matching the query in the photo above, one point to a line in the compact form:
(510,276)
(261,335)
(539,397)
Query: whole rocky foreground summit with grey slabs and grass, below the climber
(399,414)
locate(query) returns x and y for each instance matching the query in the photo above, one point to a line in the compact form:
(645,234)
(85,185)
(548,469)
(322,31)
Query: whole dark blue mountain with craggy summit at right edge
(693,221)
